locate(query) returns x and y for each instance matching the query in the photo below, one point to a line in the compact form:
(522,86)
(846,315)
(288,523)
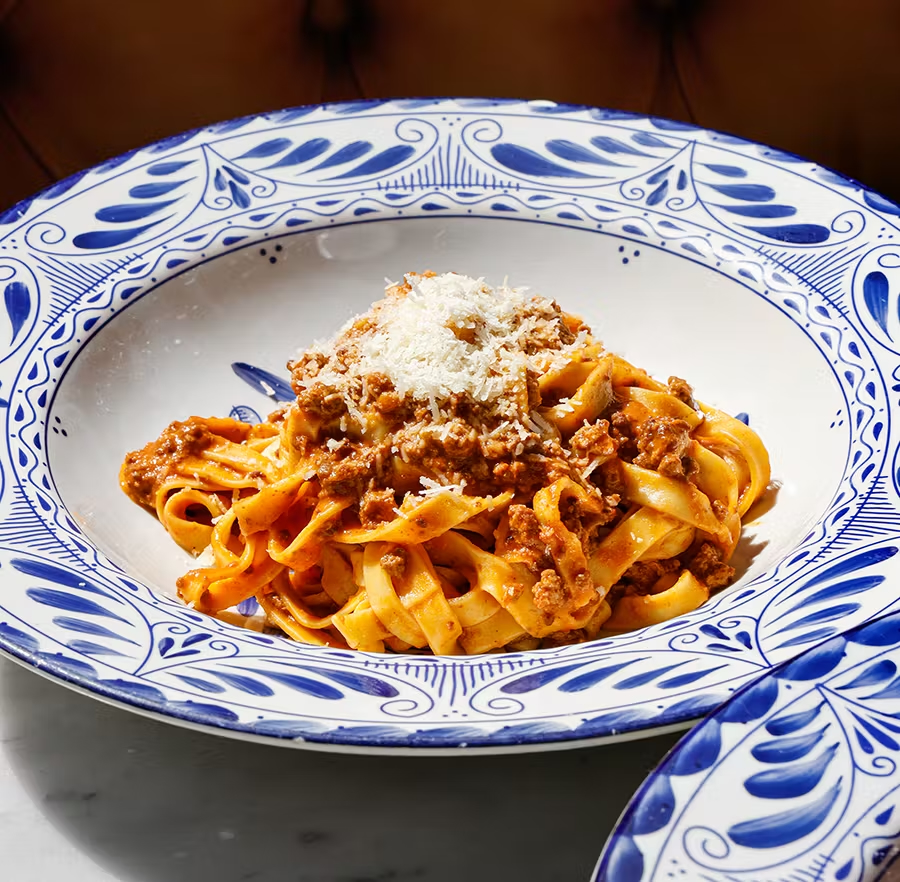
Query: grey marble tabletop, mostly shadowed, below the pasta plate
(93,793)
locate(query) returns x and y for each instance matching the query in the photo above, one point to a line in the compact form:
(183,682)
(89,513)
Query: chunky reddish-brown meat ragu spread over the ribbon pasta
(572,415)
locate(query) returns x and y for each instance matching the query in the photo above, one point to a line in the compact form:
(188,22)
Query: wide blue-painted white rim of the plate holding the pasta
(554,171)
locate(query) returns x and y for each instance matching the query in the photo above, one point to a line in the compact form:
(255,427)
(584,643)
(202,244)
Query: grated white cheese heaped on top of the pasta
(448,335)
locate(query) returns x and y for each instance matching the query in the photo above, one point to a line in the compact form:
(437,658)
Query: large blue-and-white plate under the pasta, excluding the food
(179,278)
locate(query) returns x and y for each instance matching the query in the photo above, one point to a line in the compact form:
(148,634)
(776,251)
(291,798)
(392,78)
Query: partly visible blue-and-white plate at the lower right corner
(796,778)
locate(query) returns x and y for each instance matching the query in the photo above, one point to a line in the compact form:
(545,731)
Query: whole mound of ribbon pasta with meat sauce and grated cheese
(464,469)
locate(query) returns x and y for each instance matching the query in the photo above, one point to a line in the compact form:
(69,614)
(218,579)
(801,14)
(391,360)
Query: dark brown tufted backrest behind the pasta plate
(83,80)
